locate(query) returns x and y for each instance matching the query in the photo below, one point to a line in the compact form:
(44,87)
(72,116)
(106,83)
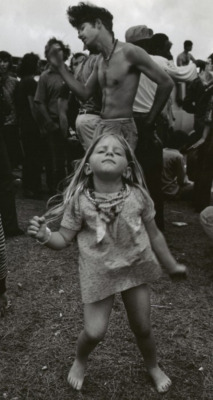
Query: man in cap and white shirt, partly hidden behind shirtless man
(149,148)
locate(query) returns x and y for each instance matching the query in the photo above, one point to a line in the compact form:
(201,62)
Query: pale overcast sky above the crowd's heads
(26,25)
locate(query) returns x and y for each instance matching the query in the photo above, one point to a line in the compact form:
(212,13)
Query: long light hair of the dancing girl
(79,181)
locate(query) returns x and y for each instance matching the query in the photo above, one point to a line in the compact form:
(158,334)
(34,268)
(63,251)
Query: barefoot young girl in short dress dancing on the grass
(113,218)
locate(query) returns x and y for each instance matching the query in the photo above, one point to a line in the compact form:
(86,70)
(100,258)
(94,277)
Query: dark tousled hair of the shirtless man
(86,12)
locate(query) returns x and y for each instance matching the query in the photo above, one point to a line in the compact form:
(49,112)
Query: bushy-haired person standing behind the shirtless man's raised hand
(46,99)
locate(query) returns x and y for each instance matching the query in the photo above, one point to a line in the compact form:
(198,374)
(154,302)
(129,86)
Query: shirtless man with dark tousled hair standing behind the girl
(117,71)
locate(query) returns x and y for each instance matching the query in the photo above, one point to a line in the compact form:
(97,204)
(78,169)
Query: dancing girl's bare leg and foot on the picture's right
(137,304)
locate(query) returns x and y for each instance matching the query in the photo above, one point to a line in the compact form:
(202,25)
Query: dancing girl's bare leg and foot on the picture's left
(96,318)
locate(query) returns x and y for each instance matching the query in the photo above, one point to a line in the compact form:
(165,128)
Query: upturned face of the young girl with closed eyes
(108,159)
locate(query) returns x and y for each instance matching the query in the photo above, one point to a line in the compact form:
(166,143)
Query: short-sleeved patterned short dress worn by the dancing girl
(123,258)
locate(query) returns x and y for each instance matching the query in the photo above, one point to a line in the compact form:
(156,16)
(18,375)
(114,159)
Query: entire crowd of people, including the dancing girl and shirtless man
(110,109)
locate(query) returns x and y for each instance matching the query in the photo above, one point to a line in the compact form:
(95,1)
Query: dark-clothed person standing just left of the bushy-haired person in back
(30,133)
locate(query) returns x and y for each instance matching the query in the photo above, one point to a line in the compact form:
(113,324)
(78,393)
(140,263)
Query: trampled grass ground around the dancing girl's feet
(39,332)
